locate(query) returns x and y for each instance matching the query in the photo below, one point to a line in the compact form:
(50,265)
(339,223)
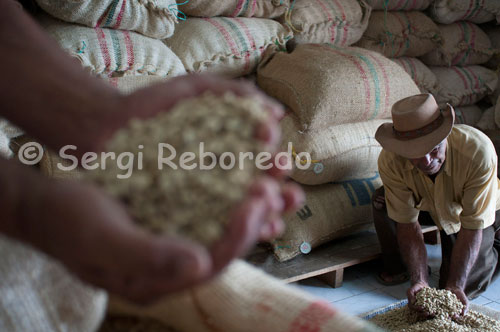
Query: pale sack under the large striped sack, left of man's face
(338,152)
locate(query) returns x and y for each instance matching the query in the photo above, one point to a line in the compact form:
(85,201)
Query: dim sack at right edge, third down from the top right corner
(462,86)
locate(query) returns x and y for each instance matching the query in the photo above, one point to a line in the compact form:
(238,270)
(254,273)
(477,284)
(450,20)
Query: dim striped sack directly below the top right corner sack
(464,43)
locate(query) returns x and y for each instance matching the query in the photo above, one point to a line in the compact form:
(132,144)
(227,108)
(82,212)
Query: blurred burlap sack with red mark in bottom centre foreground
(245,299)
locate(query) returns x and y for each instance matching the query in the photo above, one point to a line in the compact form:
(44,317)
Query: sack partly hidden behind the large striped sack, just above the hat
(423,77)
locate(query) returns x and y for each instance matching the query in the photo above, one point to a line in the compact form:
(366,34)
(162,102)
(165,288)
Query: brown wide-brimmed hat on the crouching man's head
(418,126)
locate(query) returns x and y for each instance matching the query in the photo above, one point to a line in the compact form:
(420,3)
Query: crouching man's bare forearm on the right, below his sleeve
(463,257)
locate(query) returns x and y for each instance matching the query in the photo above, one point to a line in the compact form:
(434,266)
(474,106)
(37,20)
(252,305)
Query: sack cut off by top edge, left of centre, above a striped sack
(235,8)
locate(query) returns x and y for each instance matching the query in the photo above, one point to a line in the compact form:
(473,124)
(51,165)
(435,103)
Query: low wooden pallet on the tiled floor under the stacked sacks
(328,261)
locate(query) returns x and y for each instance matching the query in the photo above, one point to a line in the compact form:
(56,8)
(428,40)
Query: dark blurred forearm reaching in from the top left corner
(45,91)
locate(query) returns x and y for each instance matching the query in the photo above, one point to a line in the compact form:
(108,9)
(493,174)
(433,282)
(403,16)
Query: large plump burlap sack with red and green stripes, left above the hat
(326,85)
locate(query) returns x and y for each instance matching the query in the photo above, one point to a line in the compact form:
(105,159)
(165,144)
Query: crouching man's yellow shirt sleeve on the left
(399,199)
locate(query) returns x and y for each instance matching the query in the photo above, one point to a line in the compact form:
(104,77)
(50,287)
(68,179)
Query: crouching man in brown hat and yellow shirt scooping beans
(435,172)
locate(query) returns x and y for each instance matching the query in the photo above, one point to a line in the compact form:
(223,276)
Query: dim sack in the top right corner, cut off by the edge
(476,11)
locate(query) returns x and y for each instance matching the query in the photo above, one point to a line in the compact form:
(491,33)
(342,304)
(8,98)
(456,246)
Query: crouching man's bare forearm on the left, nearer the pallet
(413,252)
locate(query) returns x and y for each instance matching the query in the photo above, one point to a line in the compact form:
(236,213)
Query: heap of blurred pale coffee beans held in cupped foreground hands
(193,203)
